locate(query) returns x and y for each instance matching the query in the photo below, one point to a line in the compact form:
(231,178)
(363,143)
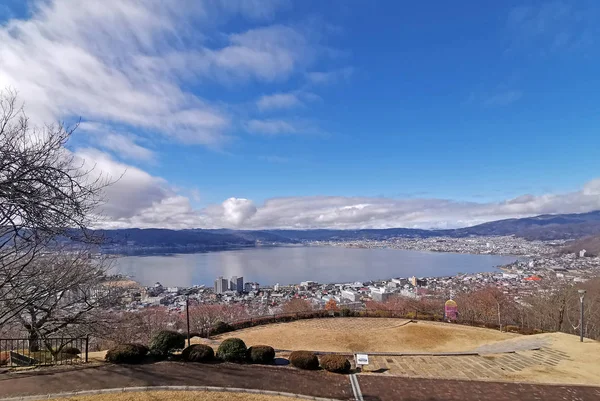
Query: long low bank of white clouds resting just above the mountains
(155,204)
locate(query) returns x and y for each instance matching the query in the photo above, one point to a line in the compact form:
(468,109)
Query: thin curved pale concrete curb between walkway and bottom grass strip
(165,388)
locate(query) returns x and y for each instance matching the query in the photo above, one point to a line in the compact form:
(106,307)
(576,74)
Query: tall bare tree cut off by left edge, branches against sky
(45,196)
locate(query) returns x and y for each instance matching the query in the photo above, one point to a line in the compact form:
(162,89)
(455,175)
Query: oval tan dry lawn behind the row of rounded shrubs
(367,335)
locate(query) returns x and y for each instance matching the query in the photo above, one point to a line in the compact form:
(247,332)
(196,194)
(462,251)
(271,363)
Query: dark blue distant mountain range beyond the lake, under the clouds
(544,227)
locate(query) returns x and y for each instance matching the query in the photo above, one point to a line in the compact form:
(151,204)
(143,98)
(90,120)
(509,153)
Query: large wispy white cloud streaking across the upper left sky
(127,62)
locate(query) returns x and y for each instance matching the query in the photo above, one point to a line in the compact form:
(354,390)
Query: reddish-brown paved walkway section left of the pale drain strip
(176,374)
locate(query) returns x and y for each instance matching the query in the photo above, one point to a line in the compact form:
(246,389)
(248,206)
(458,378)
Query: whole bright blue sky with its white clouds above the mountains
(302,114)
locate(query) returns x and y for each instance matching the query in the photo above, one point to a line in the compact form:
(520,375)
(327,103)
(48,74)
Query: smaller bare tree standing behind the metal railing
(77,295)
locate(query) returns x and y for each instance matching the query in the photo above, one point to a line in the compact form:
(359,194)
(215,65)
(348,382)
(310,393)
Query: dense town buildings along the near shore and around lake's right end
(538,265)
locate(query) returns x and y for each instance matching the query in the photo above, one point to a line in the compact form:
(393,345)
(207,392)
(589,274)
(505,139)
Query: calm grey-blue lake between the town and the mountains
(293,264)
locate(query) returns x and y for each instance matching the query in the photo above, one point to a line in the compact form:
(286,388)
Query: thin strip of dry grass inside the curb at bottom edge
(176,395)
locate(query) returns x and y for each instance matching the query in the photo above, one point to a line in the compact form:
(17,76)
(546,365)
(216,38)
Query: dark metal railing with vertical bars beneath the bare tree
(19,352)
